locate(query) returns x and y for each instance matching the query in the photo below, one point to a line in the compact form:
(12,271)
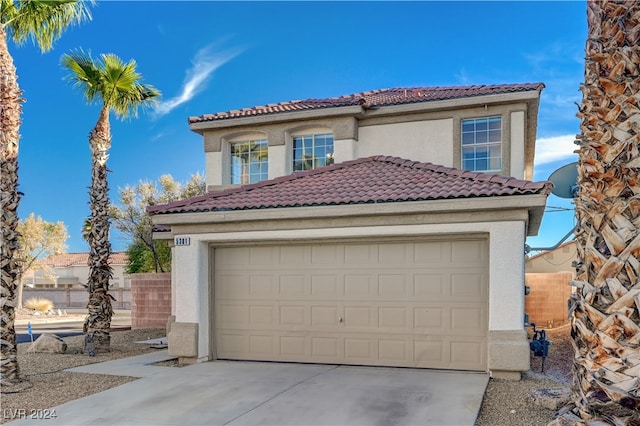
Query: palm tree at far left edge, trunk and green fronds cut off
(43,22)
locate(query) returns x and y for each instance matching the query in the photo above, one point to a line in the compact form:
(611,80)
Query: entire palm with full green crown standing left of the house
(117,87)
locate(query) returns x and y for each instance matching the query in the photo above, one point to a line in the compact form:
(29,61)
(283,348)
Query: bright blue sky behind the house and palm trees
(207,57)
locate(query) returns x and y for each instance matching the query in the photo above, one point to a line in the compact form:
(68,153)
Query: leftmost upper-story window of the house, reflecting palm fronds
(249,161)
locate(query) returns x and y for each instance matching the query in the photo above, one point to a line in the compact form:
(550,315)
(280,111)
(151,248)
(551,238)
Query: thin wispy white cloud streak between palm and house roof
(205,62)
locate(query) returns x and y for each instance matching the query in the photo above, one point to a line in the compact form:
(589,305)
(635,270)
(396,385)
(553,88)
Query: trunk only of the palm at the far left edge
(10,112)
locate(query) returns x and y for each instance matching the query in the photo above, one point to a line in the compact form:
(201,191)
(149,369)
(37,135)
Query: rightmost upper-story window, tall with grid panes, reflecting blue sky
(482,144)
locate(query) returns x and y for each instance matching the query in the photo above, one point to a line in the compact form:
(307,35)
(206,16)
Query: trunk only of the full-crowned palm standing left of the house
(98,320)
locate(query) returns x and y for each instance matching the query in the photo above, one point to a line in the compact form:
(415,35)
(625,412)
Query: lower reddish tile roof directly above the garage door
(377,179)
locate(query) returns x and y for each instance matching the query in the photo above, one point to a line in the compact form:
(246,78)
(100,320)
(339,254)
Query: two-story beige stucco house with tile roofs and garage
(380,228)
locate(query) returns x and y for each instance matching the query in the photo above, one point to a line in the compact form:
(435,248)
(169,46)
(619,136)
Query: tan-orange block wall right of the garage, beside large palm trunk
(546,303)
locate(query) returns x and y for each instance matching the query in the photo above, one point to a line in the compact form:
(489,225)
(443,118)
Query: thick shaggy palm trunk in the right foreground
(605,322)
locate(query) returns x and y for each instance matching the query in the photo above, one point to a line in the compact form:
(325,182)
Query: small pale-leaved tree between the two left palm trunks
(38,239)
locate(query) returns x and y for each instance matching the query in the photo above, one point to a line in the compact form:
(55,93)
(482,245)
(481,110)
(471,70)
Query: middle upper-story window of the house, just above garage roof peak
(312,151)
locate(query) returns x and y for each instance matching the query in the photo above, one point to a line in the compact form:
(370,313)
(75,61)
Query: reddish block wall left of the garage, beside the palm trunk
(150,300)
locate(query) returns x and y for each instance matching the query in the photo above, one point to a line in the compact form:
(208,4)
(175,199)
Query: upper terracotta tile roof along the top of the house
(375,98)
